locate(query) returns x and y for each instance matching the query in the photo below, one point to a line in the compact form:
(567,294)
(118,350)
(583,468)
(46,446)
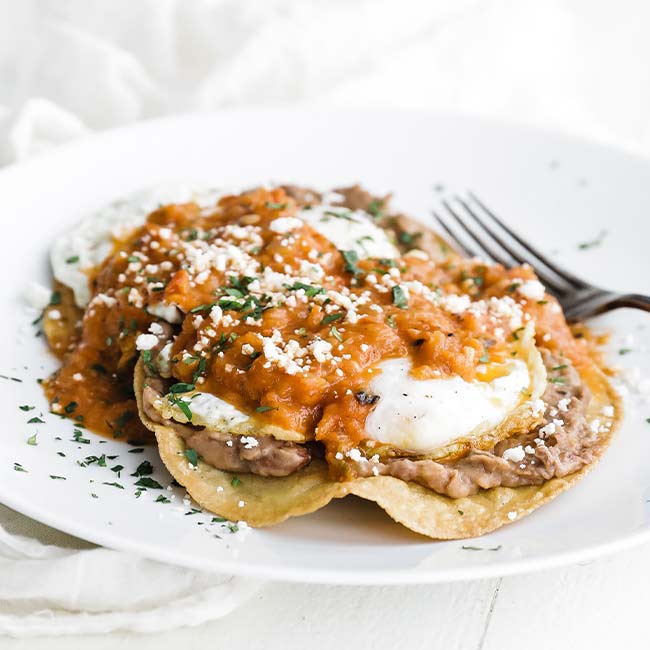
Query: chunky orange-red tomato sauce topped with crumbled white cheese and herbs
(266,313)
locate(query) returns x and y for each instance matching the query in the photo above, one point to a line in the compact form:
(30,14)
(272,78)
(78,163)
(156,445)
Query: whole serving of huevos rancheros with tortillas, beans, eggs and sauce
(288,347)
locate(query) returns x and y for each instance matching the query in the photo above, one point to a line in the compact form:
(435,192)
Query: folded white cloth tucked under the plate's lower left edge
(70,587)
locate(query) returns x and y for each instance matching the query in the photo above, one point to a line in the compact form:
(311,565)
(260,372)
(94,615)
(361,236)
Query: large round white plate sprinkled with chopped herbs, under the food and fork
(558,191)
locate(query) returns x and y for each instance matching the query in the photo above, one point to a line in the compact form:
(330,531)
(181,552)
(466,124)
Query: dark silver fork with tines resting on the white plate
(487,236)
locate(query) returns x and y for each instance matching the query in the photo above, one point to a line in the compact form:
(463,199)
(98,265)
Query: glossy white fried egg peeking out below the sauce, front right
(423,415)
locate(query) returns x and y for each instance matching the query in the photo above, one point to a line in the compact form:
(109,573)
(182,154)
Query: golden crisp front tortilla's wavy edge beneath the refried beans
(268,501)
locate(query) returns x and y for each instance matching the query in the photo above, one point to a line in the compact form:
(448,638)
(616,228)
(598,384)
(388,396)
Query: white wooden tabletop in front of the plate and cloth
(603,604)
